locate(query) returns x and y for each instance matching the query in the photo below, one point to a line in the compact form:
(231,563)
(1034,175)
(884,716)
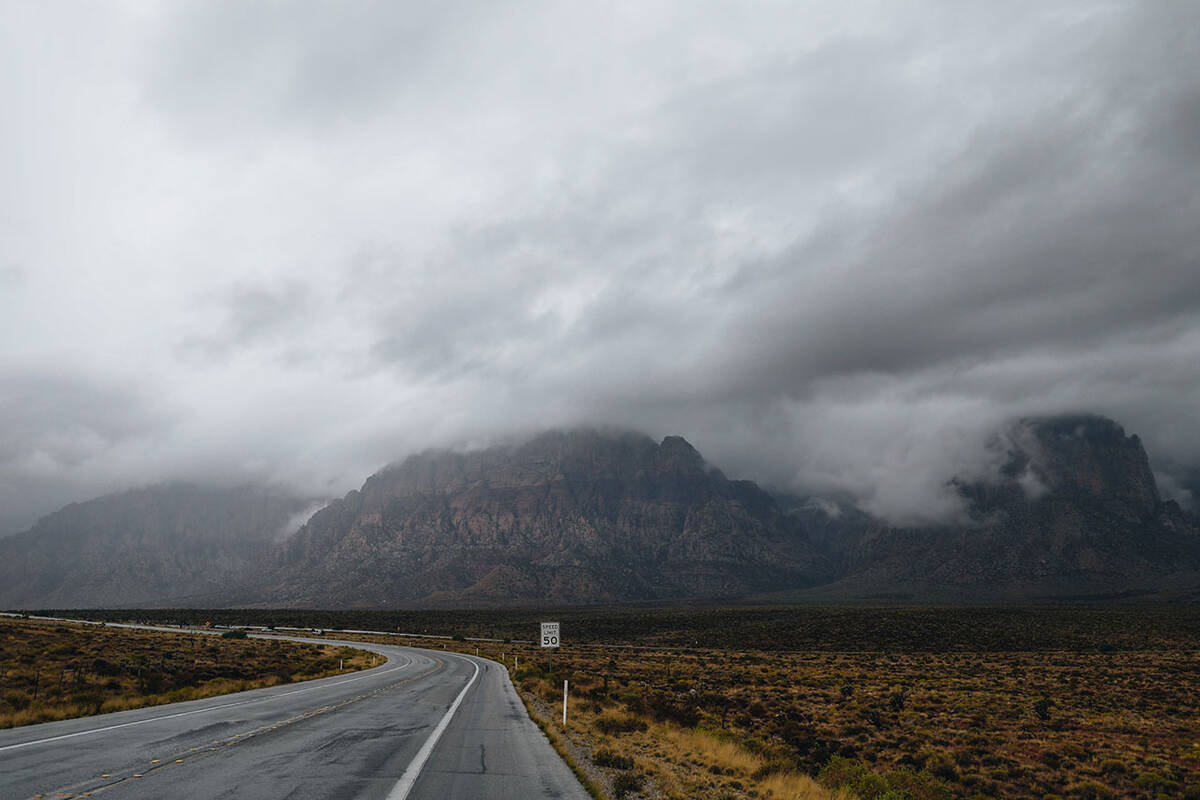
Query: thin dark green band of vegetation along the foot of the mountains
(902,629)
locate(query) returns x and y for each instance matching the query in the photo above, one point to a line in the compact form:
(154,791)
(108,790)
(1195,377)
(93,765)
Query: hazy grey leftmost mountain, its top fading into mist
(151,546)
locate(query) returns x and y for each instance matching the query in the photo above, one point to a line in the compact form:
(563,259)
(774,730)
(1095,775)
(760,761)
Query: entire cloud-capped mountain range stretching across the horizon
(1064,508)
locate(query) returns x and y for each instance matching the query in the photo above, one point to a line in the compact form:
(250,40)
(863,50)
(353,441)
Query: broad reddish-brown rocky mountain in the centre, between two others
(580,516)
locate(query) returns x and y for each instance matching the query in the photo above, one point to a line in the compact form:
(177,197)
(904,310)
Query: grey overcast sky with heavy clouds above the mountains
(832,245)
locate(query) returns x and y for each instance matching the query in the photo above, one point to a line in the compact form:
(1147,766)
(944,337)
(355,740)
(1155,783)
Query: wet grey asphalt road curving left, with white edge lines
(425,725)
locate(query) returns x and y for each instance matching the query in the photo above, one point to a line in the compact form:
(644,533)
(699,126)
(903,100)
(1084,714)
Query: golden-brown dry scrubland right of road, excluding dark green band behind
(743,725)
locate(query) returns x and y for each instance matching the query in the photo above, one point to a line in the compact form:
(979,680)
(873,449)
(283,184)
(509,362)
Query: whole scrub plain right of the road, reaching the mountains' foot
(886,703)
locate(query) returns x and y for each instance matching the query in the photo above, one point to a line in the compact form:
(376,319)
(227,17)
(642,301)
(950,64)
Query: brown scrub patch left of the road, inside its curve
(58,671)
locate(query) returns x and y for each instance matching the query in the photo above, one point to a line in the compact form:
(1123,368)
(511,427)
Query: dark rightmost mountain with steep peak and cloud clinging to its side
(1076,513)
